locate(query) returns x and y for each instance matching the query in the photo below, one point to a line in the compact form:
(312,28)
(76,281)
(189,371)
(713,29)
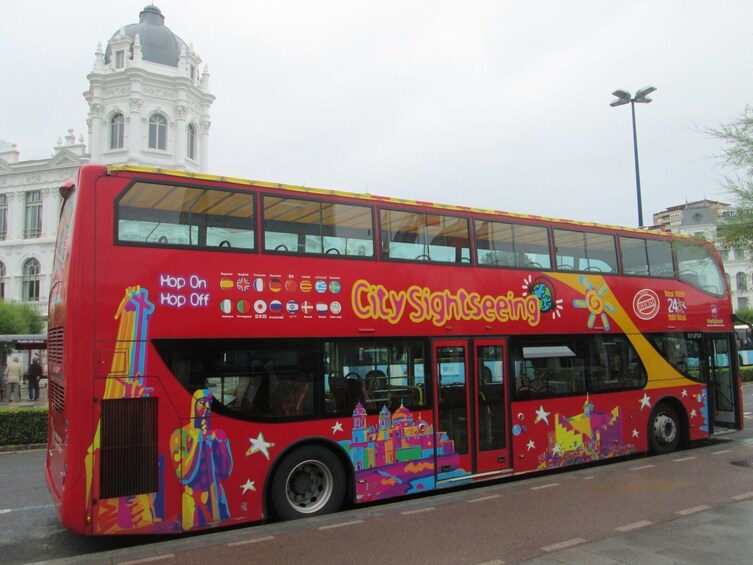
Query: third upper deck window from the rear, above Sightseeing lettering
(425,237)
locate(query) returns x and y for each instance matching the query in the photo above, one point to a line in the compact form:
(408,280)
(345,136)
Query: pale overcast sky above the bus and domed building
(492,104)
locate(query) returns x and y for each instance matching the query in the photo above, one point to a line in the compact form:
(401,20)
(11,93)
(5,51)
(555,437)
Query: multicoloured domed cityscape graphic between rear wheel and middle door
(398,456)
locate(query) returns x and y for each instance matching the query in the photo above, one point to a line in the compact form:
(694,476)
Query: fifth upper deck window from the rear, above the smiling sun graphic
(585,251)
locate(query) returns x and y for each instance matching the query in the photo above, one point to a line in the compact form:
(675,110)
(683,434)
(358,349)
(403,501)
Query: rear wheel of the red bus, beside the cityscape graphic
(310,481)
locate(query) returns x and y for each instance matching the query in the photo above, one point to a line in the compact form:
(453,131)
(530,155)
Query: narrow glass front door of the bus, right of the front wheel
(723,387)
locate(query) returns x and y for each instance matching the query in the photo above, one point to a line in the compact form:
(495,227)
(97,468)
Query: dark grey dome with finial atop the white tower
(158,43)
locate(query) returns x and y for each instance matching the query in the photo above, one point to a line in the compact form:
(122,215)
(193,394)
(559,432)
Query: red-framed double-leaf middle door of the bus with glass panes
(472,403)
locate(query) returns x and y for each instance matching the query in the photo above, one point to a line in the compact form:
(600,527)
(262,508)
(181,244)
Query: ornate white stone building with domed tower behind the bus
(149,104)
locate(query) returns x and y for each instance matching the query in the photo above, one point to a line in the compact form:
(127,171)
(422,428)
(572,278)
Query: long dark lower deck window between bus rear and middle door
(267,379)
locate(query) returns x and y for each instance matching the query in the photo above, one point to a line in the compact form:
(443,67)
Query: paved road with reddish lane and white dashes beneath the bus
(634,510)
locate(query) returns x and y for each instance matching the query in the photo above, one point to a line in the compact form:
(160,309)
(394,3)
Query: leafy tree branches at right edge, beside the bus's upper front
(737,154)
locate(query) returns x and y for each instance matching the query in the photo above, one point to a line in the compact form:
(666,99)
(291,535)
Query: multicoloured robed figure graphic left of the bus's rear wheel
(202,459)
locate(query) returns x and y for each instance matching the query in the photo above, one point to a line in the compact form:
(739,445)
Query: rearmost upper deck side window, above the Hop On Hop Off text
(186,216)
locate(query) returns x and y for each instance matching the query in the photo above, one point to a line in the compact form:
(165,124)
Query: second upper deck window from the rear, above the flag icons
(295,225)
